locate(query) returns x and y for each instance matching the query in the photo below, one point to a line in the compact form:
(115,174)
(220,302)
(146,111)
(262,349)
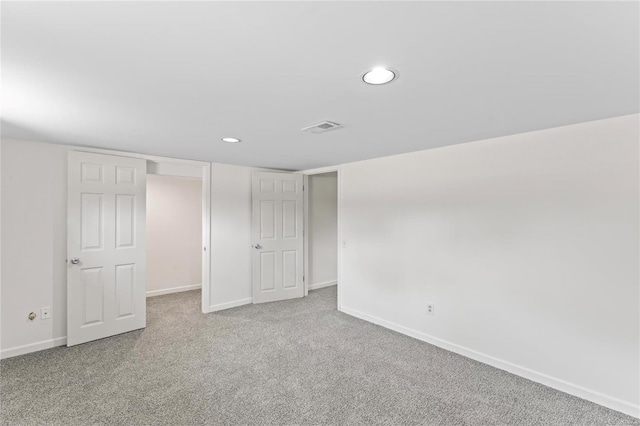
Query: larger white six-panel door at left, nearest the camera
(106,233)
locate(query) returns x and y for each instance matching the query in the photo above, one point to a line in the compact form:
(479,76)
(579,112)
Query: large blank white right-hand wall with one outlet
(527,245)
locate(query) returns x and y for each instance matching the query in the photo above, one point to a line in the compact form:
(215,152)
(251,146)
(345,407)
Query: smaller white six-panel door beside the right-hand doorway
(277,226)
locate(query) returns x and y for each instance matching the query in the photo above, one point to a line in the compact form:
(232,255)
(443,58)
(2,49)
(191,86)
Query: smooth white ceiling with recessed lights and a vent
(172,78)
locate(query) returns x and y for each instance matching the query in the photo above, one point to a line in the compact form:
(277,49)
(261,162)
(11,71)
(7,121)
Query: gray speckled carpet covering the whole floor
(293,362)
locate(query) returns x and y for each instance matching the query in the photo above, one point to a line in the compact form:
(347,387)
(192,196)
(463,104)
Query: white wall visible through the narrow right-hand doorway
(323,229)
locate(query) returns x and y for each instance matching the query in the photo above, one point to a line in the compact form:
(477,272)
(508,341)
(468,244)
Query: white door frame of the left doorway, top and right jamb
(185,168)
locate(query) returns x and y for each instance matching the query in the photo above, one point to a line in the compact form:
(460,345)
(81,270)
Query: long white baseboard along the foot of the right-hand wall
(559,384)
